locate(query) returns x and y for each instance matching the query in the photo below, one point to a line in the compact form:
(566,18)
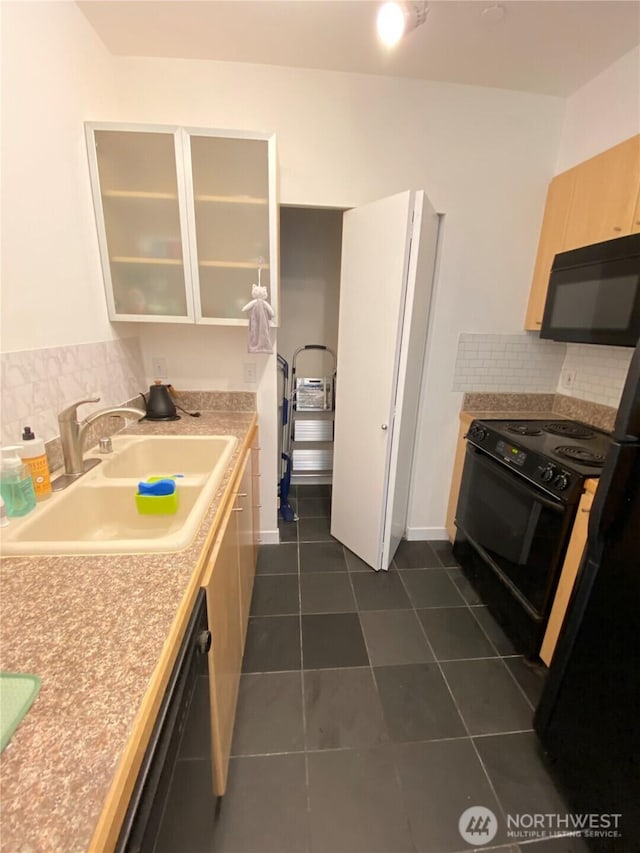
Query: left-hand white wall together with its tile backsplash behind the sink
(57,343)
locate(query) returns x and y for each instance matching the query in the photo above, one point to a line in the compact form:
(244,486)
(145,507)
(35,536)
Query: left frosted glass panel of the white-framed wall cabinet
(143,255)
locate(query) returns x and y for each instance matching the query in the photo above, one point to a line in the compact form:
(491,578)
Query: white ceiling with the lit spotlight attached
(545,46)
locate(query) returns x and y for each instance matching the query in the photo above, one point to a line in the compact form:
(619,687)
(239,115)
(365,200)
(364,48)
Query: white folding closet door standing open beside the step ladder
(380,345)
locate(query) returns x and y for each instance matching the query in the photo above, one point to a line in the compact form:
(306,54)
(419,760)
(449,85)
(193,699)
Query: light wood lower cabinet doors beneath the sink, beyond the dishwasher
(228,583)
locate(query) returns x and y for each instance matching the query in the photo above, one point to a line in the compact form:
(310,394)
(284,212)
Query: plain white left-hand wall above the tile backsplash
(55,73)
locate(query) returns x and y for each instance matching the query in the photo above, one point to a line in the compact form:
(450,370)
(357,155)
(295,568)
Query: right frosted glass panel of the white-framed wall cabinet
(231,201)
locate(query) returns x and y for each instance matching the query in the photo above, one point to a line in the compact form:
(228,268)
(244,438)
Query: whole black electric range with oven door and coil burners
(521,484)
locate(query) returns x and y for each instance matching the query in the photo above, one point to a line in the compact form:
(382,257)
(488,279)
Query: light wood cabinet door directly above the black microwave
(604,196)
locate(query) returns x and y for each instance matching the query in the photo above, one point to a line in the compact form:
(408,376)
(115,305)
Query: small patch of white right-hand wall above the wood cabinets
(602,113)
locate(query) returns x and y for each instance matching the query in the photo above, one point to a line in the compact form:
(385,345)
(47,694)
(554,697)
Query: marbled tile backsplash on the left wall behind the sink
(37,384)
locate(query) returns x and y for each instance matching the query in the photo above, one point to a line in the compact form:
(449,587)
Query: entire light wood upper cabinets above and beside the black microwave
(595,201)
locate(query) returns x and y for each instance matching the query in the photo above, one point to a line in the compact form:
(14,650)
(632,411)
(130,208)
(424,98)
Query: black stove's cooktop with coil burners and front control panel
(557,455)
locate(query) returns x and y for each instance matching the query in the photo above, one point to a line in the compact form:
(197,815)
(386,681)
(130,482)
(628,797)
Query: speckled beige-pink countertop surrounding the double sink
(94,629)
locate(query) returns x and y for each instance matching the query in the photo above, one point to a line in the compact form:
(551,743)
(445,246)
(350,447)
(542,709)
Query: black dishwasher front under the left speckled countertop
(142,820)
